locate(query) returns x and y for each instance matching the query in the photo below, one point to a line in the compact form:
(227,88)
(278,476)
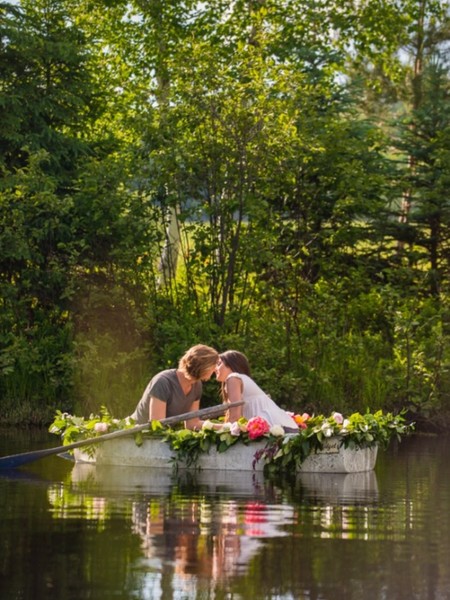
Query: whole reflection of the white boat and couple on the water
(204,527)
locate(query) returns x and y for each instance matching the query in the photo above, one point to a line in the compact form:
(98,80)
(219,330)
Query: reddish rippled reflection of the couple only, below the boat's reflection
(213,541)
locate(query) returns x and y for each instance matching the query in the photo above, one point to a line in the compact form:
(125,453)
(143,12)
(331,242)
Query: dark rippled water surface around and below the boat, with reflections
(79,532)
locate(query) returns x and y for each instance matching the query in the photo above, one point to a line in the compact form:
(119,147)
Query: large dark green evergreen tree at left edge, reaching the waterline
(75,232)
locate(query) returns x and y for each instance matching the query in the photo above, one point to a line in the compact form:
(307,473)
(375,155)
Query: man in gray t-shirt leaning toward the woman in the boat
(176,391)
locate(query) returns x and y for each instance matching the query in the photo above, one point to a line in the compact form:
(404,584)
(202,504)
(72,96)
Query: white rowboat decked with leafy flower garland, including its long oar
(322,445)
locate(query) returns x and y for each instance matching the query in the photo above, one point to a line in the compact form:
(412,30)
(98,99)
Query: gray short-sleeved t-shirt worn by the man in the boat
(166,387)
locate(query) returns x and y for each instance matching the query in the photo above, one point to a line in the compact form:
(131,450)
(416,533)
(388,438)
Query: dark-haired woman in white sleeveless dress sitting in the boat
(233,371)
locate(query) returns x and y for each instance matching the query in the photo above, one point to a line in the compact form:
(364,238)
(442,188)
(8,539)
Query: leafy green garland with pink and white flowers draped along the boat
(281,452)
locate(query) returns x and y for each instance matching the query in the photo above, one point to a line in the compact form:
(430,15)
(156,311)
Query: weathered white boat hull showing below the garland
(154,453)
